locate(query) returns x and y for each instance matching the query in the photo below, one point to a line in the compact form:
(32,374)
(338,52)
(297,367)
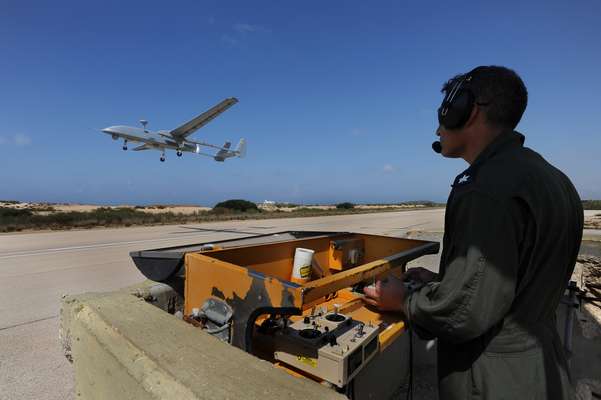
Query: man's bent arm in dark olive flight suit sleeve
(478,287)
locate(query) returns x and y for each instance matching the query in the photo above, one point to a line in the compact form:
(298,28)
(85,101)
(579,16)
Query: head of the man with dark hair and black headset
(492,99)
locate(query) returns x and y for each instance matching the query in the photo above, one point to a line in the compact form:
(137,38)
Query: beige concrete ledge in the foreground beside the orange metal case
(125,348)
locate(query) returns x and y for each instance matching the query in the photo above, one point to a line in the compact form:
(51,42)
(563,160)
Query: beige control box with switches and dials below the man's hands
(330,346)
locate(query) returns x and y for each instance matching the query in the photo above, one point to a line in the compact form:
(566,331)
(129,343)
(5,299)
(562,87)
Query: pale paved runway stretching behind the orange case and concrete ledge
(36,269)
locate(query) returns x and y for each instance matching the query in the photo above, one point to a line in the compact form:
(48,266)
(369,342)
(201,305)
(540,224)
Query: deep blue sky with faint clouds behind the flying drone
(337,99)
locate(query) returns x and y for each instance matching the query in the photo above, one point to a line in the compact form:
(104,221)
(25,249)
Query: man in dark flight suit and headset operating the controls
(513,227)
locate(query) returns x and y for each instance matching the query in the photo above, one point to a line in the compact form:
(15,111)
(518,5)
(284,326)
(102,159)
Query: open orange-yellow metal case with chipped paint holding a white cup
(254,280)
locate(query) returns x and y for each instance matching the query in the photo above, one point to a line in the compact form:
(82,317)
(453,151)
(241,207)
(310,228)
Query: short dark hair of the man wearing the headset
(499,88)
